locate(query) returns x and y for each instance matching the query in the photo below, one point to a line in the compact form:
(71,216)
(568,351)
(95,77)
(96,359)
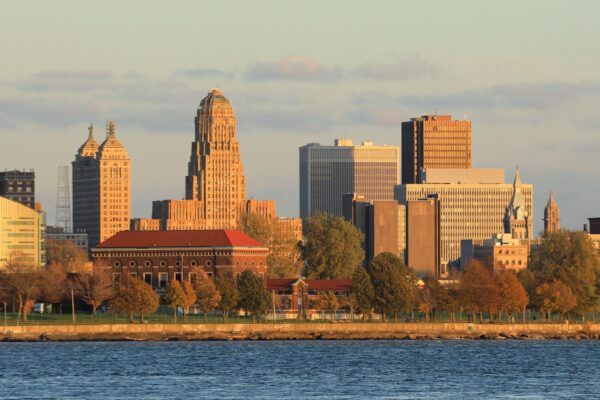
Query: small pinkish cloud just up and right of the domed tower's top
(294,68)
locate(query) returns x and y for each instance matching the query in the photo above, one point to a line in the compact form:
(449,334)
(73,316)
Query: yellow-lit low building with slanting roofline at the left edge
(22,232)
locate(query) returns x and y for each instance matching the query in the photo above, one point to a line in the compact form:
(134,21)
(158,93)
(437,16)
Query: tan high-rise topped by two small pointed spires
(101,187)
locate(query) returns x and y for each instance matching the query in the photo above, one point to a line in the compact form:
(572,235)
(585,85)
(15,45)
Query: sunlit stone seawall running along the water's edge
(300,331)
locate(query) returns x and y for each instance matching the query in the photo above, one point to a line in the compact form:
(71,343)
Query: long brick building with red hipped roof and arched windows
(160,256)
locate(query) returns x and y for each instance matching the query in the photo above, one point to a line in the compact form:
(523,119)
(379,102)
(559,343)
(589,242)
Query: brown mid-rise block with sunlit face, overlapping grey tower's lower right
(383,222)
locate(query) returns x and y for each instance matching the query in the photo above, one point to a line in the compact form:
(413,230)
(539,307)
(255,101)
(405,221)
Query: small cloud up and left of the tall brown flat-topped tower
(410,68)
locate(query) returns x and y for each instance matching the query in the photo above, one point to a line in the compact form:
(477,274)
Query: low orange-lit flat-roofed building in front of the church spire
(500,252)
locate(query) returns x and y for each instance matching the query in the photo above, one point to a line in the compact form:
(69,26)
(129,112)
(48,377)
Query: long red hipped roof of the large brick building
(198,238)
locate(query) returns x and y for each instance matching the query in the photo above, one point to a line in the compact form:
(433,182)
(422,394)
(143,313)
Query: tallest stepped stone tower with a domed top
(215,174)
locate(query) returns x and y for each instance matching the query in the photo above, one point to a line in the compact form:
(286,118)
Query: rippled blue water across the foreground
(301,370)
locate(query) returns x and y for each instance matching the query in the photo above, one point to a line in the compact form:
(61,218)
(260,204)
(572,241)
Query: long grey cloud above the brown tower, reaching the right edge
(533,96)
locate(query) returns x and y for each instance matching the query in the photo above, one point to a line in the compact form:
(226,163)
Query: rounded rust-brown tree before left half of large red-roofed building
(134,295)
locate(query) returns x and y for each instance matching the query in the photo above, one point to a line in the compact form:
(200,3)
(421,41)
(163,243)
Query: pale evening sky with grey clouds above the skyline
(526,73)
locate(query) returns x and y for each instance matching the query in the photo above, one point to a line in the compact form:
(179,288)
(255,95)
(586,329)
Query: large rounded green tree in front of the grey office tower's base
(331,248)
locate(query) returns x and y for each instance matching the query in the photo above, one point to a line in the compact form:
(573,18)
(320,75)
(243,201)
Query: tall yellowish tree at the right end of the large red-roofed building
(283,260)
